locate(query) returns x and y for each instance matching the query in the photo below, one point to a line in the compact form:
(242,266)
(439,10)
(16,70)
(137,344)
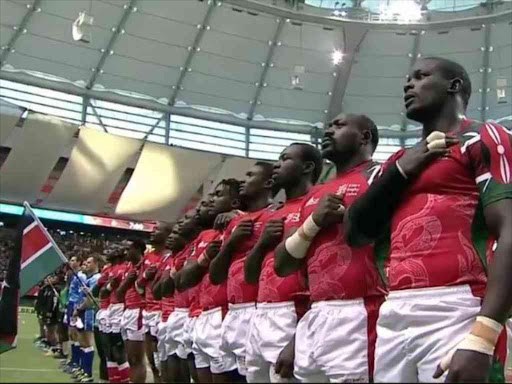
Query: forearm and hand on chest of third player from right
(270,237)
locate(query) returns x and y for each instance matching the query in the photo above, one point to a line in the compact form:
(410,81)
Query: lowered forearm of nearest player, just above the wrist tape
(497,302)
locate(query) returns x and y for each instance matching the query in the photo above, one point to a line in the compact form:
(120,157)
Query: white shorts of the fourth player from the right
(235,332)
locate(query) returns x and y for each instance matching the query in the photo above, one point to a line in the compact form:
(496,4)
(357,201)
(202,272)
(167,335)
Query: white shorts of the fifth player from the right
(207,335)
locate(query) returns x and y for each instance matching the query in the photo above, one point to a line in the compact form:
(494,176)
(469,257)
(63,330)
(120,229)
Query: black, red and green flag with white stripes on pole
(35,256)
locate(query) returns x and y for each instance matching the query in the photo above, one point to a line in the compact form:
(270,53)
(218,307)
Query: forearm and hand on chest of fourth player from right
(219,266)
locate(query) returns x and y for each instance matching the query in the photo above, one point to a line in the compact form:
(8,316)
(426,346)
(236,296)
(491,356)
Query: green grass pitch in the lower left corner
(27,364)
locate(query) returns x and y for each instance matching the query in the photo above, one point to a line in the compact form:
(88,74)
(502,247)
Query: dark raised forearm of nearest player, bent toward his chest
(369,215)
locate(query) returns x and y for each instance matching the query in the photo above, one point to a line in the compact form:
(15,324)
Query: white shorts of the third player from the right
(272,327)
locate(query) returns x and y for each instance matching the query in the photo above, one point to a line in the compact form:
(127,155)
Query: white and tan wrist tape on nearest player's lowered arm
(483,337)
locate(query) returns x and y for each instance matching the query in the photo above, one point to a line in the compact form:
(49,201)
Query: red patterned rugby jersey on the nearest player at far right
(438,233)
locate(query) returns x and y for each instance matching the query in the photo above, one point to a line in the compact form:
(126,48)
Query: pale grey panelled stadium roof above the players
(233,61)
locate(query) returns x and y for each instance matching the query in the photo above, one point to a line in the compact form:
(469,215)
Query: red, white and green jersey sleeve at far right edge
(489,153)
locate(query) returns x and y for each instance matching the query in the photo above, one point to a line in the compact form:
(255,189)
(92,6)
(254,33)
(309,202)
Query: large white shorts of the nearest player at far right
(418,327)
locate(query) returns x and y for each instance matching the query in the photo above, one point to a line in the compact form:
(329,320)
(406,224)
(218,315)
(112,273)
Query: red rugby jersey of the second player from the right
(336,271)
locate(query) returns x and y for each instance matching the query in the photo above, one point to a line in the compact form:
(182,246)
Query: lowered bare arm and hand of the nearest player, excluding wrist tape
(470,365)
